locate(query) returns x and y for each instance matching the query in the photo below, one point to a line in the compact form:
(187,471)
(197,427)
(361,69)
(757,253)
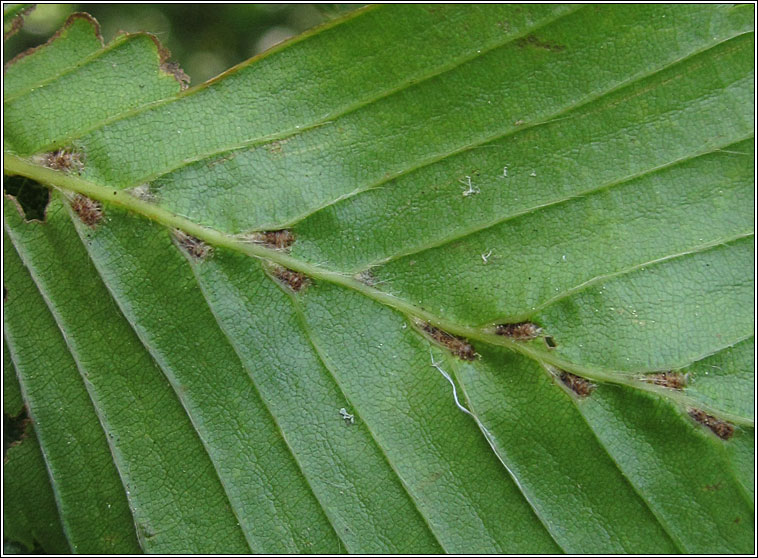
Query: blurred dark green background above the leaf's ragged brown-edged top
(205,39)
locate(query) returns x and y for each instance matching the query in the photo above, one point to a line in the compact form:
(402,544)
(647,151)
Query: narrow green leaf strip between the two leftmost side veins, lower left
(71,442)
